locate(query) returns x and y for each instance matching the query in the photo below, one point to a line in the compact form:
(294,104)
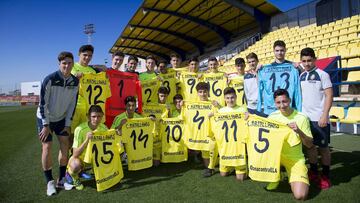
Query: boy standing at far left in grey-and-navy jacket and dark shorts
(54,115)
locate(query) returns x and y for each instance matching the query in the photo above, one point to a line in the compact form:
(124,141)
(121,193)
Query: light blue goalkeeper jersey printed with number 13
(275,76)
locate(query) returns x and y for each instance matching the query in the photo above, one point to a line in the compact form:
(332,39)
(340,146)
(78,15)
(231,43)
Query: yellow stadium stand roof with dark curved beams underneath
(161,27)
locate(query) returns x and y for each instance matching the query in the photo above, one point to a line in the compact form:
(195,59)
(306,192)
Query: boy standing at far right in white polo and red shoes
(317,94)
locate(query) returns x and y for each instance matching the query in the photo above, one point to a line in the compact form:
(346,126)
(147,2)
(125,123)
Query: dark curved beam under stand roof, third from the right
(195,42)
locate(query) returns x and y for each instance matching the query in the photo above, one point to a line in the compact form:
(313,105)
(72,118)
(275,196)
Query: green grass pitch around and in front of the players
(22,178)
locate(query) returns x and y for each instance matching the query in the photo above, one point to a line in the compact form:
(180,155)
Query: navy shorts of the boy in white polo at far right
(321,136)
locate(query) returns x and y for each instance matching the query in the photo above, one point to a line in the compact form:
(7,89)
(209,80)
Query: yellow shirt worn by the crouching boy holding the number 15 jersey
(80,135)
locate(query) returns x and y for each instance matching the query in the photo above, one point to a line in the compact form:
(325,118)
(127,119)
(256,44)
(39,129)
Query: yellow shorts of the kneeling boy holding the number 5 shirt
(296,170)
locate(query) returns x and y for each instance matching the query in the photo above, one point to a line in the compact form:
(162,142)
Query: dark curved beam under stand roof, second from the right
(223,33)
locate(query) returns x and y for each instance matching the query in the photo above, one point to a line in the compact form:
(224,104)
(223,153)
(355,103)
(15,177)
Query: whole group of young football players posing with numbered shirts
(250,122)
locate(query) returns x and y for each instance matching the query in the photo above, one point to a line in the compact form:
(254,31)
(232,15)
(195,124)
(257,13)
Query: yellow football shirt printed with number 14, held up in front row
(137,136)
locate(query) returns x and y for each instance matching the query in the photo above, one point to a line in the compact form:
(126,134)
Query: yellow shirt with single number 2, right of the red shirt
(149,90)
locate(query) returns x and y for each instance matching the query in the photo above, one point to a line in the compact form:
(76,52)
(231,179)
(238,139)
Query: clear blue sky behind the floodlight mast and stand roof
(33,32)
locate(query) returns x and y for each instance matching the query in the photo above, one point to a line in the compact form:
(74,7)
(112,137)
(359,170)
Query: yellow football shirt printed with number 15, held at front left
(102,152)
